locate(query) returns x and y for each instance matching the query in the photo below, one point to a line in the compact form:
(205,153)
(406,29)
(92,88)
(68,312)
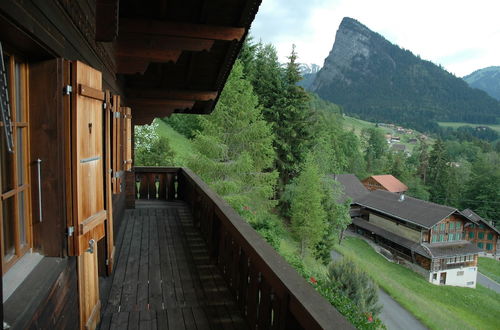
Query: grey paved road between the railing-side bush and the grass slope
(393,315)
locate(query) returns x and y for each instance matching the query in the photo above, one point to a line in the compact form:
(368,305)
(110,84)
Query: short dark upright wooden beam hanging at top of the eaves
(106,20)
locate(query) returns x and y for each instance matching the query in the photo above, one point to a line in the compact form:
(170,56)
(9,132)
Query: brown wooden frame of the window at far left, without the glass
(19,190)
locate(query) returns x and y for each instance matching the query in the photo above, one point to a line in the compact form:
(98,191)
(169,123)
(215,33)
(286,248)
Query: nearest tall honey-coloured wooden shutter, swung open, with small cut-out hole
(88,208)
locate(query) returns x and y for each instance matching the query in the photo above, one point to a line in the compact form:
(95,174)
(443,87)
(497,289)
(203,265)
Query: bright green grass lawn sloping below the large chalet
(438,307)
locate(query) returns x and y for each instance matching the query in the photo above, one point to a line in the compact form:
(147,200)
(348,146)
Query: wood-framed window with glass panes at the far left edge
(14,179)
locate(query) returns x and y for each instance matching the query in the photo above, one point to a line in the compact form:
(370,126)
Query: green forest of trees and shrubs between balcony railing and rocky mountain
(270,147)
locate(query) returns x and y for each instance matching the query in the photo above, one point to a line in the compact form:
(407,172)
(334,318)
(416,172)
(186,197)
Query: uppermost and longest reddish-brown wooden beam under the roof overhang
(200,31)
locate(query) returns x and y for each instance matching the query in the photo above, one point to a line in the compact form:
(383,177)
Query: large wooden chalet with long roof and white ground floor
(431,238)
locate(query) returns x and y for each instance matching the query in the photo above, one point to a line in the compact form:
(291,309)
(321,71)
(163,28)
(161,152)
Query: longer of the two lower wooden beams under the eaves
(188,95)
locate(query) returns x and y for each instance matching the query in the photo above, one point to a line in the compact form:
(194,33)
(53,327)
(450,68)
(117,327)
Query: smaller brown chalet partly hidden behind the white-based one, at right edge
(482,233)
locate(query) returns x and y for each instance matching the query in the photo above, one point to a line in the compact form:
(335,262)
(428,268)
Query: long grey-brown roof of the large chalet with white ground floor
(416,211)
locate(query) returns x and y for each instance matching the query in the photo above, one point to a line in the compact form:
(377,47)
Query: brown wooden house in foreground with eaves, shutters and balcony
(79,75)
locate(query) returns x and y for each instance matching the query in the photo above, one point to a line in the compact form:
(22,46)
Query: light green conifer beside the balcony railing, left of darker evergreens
(235,148)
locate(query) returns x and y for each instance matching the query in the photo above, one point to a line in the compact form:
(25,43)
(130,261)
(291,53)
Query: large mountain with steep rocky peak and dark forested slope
(378,81)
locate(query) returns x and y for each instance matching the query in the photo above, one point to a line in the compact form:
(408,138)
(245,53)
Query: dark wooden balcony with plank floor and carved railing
(200,265)
